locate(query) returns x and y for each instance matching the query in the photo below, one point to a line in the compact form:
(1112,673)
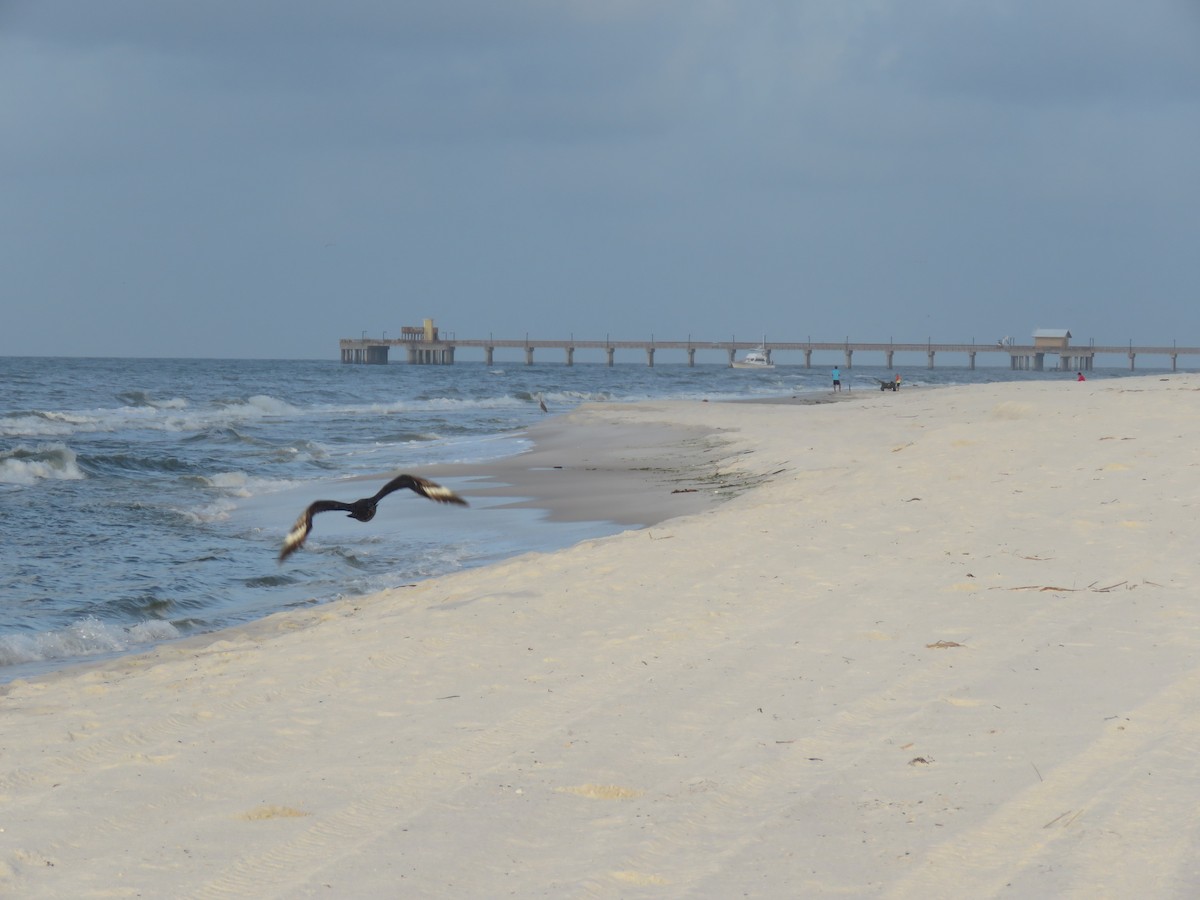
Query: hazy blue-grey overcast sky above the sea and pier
(260,178)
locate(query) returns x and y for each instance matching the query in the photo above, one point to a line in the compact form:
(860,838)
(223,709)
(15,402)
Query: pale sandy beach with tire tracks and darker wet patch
(919,645)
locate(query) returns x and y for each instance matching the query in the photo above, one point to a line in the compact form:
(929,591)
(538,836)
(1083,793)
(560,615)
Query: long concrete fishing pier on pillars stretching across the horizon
(425,345)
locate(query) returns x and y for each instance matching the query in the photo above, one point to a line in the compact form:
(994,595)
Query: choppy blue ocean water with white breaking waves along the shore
(145,500)
